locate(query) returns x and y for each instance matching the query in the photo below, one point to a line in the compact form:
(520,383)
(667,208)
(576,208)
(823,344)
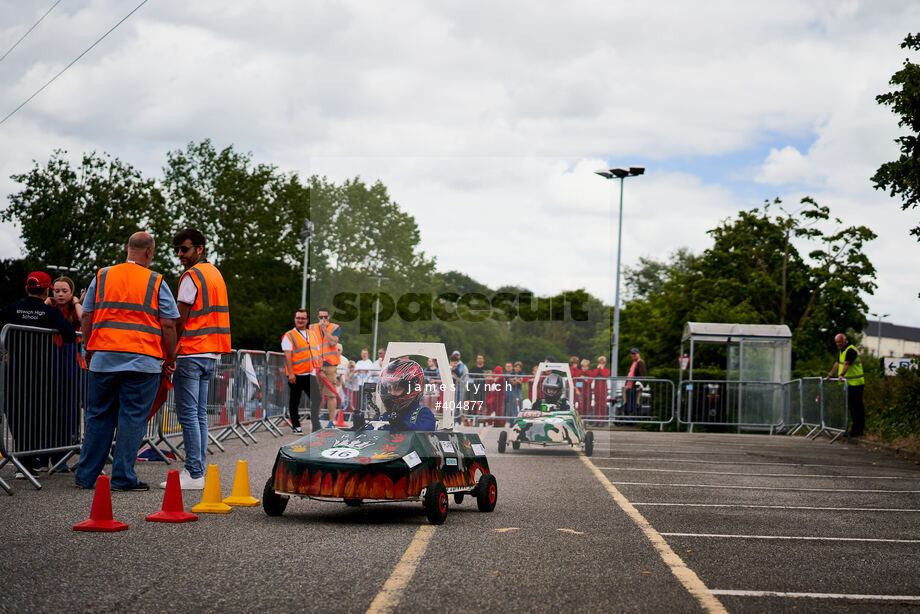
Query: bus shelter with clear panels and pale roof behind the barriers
(758,360)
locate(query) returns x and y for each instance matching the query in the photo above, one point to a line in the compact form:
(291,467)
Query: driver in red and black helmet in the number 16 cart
(401,388)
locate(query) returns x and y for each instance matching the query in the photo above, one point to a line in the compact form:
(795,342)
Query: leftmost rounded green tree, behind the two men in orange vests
(82,218)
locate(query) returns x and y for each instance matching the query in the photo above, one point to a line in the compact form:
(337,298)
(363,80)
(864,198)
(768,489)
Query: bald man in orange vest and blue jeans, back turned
(129,317)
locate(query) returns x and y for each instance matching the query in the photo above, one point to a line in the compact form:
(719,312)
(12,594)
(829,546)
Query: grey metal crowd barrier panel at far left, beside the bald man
(43,393)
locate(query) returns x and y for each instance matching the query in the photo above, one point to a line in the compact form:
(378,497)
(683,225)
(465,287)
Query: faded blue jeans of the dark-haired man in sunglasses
(190,390)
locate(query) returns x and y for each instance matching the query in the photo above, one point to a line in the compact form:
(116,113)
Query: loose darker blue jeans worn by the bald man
(122,399)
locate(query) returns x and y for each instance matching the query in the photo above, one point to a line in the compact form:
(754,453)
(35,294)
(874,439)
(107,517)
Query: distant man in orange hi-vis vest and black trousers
(301,360)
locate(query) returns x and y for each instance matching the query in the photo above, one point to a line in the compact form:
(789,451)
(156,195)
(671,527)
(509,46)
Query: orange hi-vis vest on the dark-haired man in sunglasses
(207,330)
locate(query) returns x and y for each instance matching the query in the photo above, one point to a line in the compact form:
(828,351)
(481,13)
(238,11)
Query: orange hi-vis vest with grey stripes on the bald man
(126,317)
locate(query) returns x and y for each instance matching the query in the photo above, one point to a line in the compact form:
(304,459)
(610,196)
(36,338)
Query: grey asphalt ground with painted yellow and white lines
(764,524)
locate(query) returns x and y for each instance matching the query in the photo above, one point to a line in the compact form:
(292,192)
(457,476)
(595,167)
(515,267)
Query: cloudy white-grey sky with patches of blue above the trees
(486,120)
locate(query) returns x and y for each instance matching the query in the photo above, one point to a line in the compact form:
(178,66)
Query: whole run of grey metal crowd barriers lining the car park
(43,391)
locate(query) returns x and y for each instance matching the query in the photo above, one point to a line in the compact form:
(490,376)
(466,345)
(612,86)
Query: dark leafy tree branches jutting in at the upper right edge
(901,177)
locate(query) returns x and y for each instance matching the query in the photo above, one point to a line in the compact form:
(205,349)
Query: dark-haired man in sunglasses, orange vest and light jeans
(204,334)
